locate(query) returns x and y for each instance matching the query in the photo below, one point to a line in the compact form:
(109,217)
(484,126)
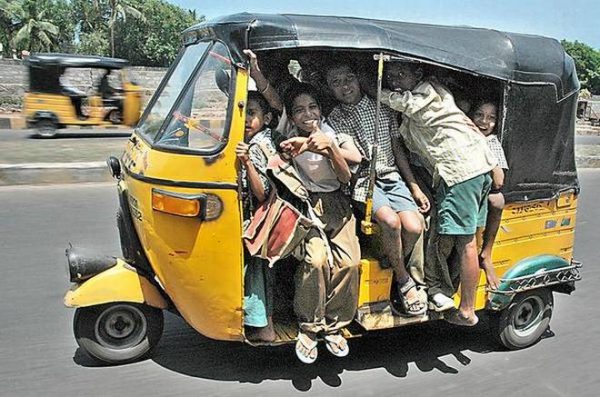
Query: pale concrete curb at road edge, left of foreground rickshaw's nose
(53,173)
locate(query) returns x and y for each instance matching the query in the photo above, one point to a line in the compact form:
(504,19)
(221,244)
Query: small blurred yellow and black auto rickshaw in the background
(52,103)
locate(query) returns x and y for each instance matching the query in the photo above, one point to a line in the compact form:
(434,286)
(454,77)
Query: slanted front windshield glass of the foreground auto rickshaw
(159,109)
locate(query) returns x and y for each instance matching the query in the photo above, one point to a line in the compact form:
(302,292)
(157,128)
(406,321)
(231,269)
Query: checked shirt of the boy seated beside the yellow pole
(358,121)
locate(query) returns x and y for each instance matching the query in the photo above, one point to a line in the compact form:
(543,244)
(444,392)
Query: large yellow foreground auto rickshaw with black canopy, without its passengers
(180,216)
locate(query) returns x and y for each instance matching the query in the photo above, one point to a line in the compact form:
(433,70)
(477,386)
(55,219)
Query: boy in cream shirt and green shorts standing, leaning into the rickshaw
(460,161)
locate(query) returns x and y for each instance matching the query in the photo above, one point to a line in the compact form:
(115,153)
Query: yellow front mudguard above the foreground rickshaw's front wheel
(120,283)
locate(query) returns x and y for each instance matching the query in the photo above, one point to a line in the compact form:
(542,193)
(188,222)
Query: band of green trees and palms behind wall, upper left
(145,32)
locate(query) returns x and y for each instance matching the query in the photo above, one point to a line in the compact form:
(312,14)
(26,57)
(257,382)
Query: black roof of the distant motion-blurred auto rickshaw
(75,61)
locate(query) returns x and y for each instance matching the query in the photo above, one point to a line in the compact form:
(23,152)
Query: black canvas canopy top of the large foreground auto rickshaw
(507,56)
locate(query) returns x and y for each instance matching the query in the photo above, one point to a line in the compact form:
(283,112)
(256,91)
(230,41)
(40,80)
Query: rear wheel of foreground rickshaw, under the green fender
(525,320)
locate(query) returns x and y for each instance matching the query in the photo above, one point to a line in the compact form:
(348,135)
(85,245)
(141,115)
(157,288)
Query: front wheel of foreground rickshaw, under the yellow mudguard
(119,332)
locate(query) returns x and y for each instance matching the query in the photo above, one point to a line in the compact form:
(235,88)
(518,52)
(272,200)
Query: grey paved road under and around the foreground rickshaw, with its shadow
(39,355)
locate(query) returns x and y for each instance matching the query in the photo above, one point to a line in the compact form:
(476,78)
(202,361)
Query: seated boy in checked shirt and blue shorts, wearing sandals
(394,206)
